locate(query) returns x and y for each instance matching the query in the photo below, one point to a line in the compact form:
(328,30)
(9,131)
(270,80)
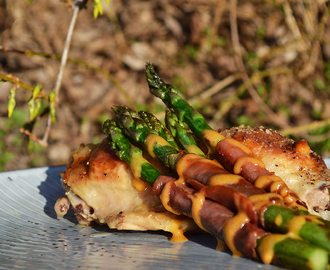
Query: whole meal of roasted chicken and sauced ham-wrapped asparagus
(230,189)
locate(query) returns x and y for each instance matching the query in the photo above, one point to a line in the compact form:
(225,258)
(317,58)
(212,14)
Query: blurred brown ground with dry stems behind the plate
(259,62)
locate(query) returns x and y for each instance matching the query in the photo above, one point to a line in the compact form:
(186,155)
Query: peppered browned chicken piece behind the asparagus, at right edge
(302,170)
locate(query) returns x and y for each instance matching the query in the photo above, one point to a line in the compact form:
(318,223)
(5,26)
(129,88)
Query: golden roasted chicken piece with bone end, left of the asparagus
(101,188)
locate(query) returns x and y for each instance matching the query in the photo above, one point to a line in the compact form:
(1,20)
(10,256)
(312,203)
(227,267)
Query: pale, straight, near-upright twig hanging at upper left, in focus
(78,6)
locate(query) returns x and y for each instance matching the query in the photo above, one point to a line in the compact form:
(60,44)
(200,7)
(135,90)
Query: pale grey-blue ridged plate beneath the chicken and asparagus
(31,235)
